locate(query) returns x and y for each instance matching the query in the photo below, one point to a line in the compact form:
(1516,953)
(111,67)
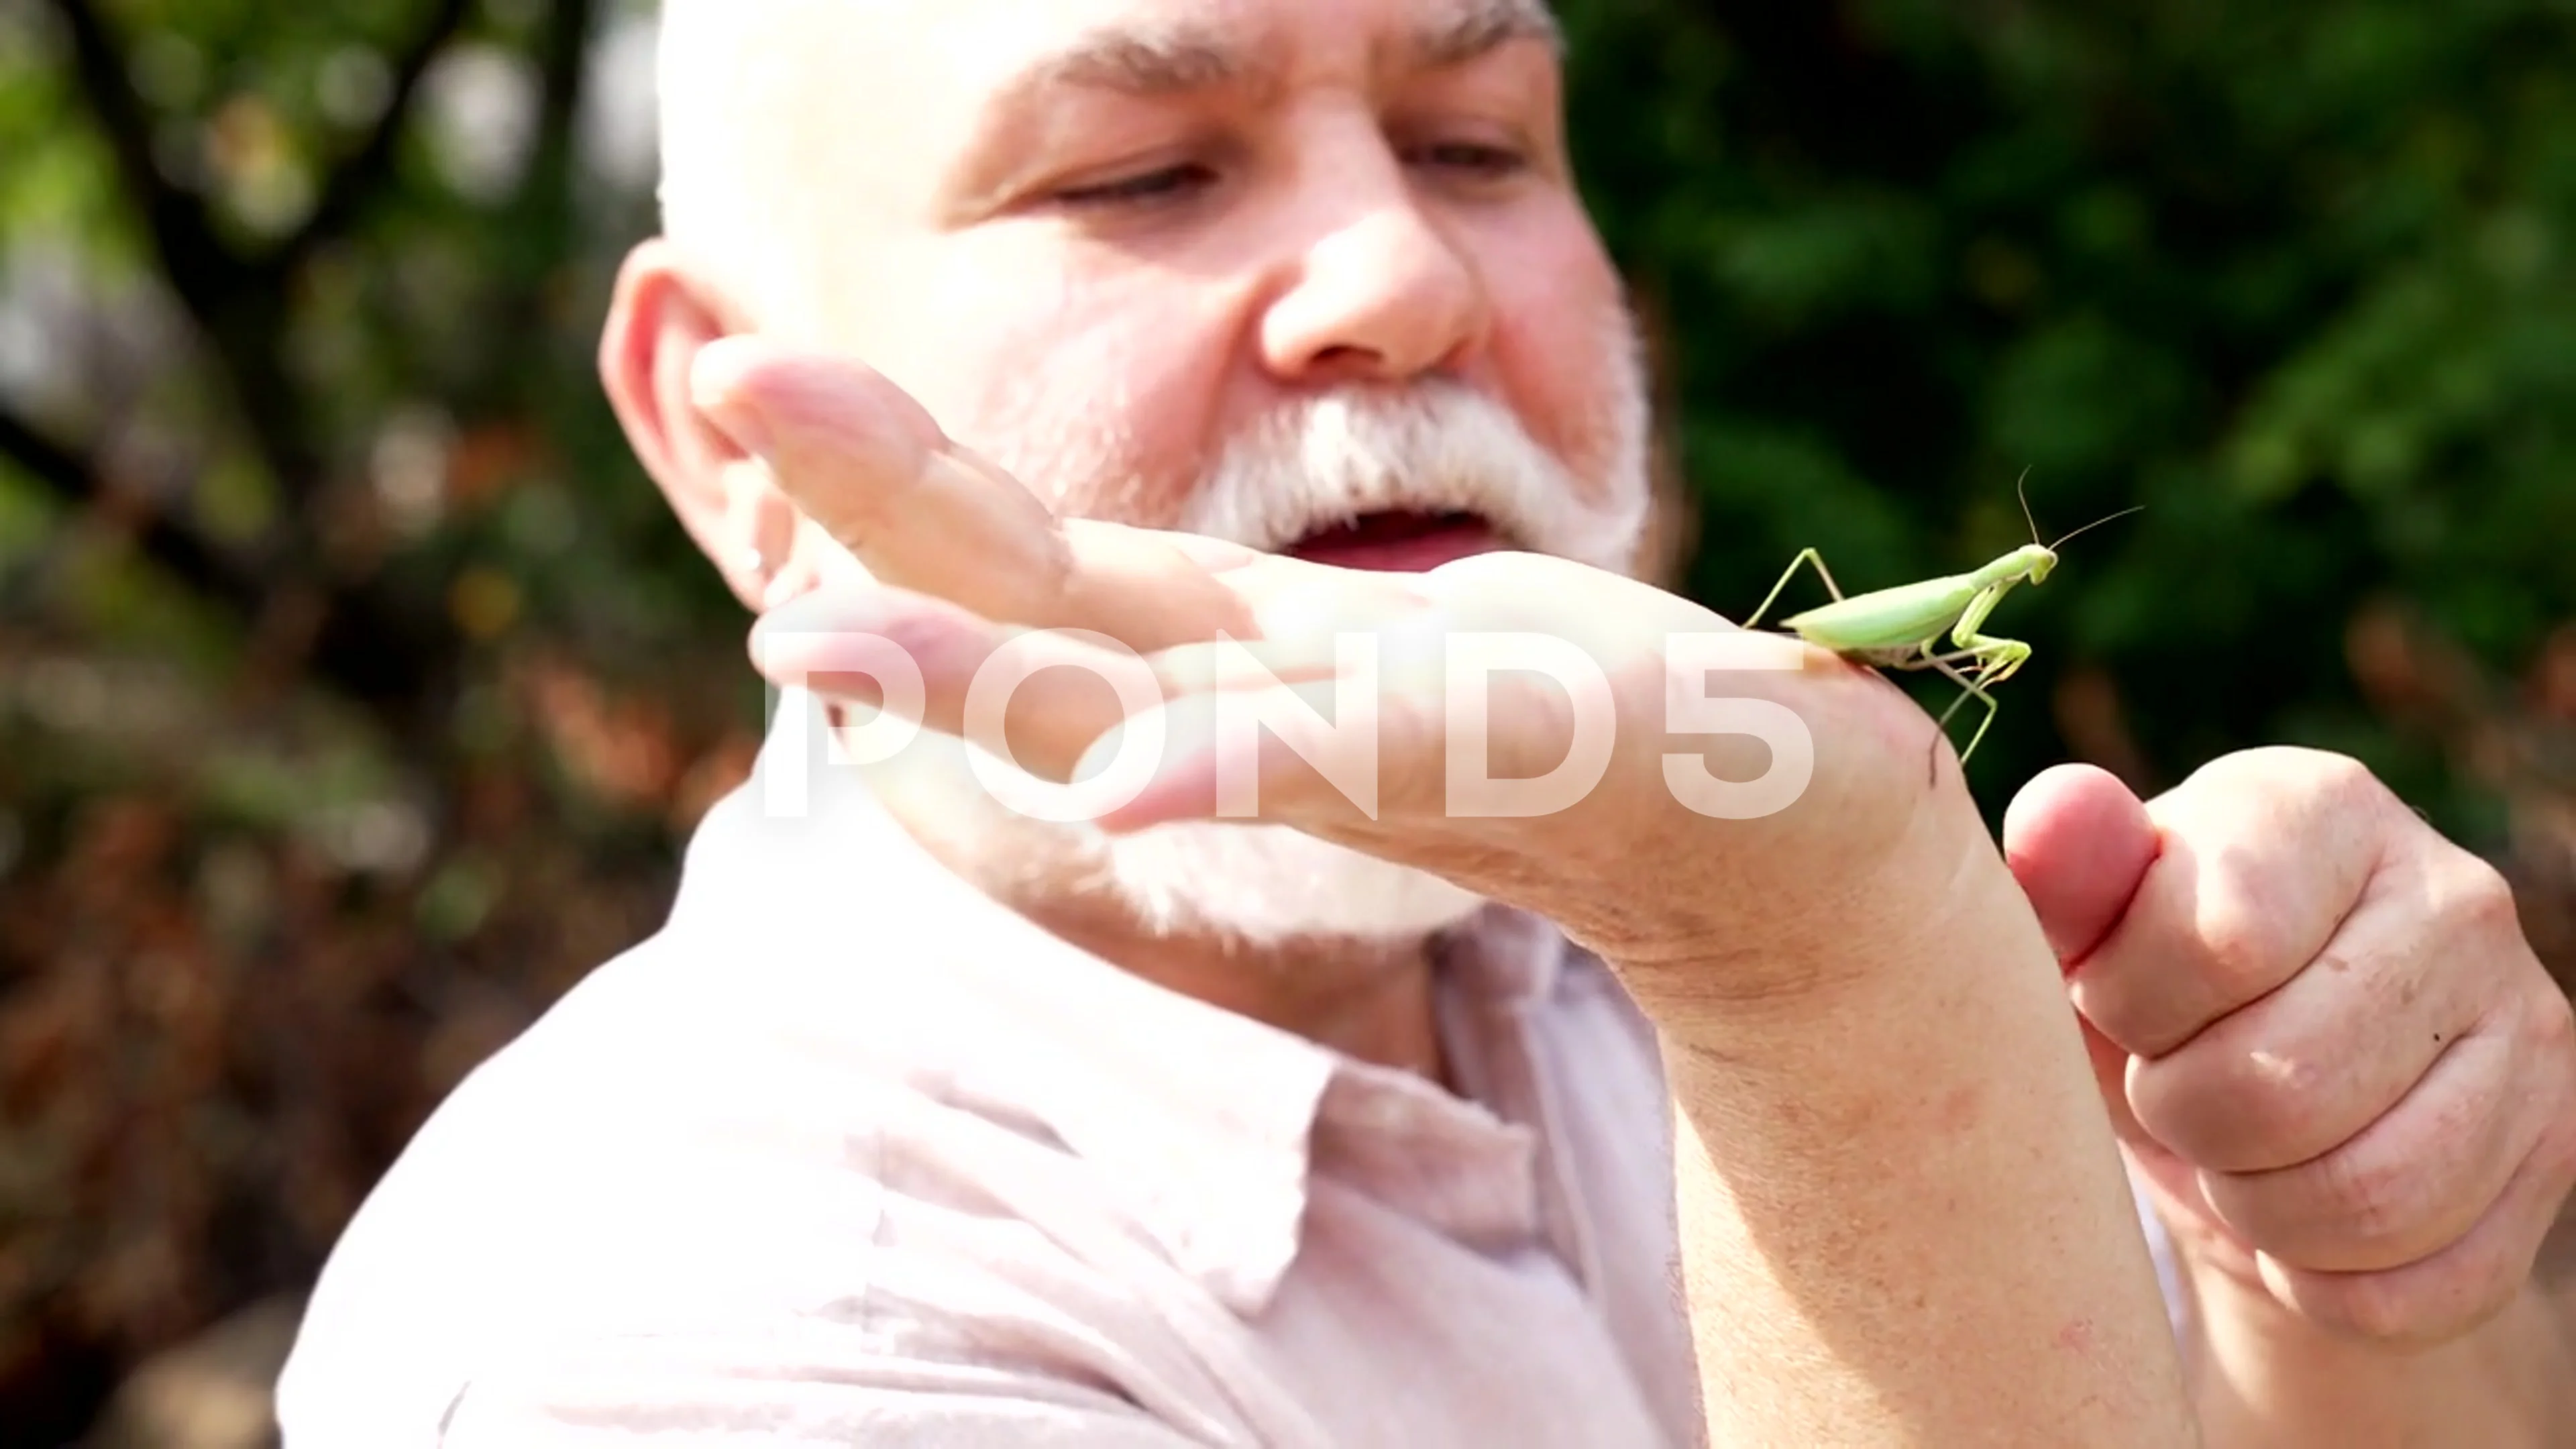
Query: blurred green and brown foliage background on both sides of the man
(357,690)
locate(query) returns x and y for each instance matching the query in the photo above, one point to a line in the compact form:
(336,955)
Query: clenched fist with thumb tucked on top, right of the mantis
(2322,1035)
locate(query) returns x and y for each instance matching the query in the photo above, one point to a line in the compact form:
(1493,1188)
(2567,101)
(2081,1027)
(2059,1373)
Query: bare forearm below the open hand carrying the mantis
(1902,1211)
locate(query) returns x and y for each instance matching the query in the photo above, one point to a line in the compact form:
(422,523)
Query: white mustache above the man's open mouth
(1436,447)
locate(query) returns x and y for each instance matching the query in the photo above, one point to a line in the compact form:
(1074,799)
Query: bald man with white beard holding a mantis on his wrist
(1055,342)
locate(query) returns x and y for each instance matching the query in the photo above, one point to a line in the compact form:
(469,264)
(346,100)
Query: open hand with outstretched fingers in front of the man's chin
(970,566)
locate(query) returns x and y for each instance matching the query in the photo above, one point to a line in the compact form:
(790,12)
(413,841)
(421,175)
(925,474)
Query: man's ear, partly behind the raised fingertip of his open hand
(661,318)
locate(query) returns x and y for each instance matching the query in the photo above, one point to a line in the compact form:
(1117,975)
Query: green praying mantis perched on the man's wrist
(1900,628)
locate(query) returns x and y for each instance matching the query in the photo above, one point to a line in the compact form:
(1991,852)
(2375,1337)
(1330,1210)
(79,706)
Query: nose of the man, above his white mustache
(1379,293)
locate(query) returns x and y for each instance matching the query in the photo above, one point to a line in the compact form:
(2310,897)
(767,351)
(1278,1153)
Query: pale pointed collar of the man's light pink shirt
(1207,1118)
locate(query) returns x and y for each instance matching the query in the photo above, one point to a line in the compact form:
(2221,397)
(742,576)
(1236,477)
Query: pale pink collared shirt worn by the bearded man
(854,1156)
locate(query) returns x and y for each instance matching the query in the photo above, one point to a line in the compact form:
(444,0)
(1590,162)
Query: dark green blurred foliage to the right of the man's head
(2294,277)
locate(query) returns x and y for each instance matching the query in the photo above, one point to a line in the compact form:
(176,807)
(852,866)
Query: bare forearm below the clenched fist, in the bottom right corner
(2263,1381)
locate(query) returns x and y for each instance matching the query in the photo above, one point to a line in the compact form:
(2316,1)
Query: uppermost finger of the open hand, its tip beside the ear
(921,512)
